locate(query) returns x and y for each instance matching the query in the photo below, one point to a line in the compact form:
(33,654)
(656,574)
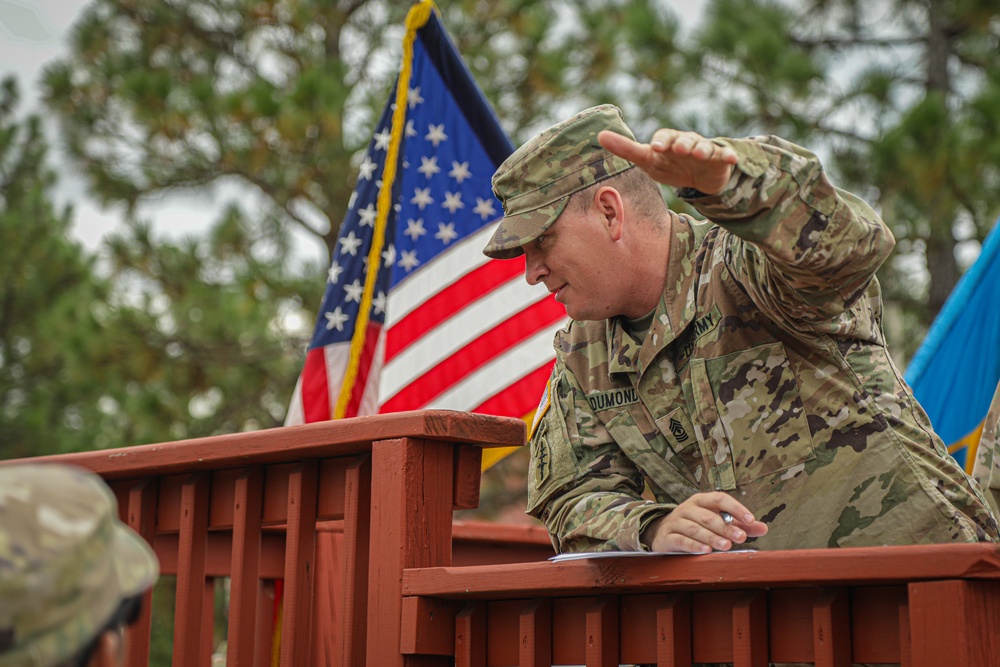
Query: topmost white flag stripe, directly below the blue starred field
(463,257)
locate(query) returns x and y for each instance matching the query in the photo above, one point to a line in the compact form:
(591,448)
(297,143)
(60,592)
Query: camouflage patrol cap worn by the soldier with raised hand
(536,181)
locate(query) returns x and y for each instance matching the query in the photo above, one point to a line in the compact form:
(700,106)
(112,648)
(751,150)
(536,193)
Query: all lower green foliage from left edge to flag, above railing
(169,340)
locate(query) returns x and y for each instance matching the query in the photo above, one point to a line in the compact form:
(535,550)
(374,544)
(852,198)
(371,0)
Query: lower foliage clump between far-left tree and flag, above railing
(209,331)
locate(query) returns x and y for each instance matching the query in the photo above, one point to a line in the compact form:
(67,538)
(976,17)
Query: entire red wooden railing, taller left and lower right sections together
(355,517)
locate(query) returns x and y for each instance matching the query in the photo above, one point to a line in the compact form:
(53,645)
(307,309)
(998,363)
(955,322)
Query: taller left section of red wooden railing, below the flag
(369,496)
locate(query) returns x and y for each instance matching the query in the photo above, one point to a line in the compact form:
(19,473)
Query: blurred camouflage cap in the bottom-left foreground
(66,562)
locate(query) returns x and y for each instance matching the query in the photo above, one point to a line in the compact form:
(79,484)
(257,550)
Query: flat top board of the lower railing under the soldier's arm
(806,567)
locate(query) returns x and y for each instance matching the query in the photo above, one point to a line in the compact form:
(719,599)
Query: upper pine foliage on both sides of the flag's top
(163,95)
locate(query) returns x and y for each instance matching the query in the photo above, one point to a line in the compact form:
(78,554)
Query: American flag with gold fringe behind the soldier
(448,328)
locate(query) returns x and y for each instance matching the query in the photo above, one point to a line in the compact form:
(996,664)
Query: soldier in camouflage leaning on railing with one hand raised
(735,365)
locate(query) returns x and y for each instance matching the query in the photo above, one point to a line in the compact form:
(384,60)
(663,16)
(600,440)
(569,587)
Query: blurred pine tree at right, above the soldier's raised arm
(902,95)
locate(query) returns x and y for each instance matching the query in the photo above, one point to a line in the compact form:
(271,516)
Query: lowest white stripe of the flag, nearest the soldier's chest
(492,378)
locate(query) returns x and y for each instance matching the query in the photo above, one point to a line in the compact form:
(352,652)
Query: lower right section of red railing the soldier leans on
(919,606)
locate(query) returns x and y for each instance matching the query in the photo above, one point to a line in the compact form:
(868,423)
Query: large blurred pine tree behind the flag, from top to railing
(280,97)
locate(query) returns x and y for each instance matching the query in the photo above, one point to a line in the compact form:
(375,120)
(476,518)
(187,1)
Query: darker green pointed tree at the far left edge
(50,398)
